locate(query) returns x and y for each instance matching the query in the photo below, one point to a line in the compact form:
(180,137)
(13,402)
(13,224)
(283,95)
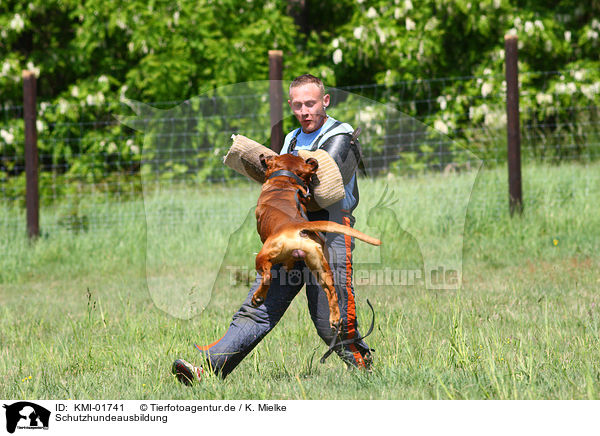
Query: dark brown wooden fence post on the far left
(32,199)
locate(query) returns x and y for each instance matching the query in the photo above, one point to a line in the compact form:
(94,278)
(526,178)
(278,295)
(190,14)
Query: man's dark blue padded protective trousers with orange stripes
(251,324)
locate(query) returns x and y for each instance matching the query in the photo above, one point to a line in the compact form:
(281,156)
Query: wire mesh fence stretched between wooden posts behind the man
(96,155)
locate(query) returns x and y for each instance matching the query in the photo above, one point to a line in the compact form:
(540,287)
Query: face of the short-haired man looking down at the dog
(308,105)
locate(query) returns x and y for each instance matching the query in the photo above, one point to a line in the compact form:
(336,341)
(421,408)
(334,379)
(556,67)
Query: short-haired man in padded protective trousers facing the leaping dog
(250,324)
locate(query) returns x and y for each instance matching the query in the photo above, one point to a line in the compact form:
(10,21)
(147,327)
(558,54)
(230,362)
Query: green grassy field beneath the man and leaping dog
(99,314)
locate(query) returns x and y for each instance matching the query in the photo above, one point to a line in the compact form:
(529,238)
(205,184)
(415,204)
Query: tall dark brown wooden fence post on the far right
(513,124)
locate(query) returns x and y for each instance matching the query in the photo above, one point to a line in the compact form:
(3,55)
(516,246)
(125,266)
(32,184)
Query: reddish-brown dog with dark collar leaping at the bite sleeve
(287,235)
